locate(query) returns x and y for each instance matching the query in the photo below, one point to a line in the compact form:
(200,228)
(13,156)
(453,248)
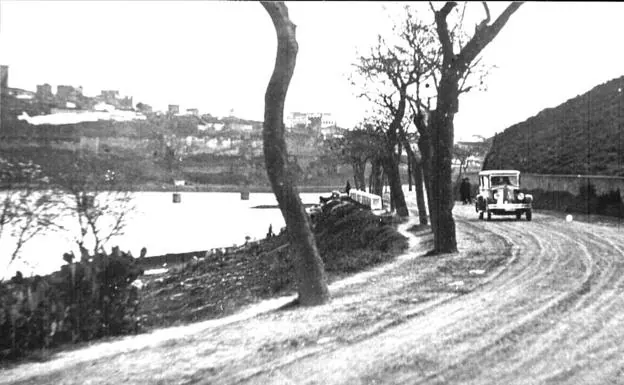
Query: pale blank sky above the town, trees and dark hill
(218,56)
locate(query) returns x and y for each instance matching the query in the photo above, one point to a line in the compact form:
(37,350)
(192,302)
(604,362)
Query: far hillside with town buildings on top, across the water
(153,148)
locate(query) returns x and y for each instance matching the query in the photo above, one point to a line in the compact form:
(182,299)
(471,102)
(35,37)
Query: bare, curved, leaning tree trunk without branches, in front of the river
(310,273)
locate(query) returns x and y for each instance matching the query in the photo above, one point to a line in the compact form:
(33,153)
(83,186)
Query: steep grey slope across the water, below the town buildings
(148,155)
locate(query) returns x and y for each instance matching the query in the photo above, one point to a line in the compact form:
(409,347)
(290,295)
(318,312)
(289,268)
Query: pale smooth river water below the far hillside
(200,221)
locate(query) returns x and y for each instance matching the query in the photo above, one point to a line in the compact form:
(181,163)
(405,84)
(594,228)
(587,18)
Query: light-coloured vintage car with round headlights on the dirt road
(500,194)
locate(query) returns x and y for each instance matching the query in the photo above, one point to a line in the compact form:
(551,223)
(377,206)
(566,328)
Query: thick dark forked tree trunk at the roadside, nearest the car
(452,72)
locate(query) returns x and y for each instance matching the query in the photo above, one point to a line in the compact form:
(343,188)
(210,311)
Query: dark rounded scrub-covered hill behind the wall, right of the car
(584,135)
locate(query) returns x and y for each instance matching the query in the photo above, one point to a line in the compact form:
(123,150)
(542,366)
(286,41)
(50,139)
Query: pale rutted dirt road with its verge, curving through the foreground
(538,302)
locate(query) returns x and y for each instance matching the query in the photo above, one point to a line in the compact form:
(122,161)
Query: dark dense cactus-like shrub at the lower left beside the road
(83,301)
